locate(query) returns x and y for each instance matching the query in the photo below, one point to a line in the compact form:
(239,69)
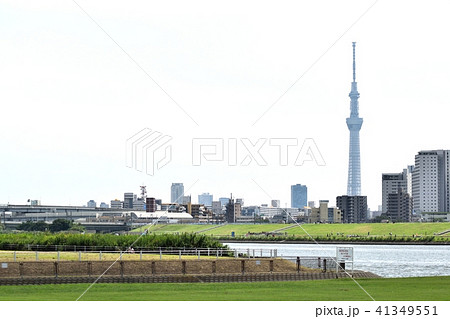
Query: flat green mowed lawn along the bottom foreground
(392,289)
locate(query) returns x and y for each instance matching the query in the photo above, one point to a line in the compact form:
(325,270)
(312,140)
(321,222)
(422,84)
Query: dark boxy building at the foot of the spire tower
(353,208)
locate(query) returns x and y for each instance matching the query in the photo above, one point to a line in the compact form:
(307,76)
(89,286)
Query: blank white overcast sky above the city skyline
(70,97)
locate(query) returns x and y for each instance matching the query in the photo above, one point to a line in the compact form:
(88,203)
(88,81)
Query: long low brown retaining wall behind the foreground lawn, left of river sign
(142,268)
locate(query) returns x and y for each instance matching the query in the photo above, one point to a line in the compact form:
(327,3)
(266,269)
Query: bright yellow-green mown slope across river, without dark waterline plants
(374,229)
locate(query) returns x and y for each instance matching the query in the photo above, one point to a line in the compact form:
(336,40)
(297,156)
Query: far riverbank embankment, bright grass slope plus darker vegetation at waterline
(376,232)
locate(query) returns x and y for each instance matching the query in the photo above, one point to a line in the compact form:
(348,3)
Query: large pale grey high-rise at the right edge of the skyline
(430,183)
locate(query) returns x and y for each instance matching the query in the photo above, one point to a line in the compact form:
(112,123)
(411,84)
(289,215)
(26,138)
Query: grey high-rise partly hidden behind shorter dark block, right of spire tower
(392,182)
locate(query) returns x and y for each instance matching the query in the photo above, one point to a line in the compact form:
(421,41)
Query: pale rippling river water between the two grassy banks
(383,260)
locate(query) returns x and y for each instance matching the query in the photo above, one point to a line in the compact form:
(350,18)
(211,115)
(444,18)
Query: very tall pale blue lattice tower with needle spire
(354,123)
